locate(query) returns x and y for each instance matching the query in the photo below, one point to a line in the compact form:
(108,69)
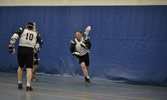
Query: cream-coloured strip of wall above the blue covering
(80,2)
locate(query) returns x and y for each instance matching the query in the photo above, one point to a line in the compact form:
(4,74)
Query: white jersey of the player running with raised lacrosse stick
(79,48)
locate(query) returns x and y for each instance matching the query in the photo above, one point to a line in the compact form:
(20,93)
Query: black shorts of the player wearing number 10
(25,57)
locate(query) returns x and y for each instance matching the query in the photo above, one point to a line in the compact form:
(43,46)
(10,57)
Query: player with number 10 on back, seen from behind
(28,39)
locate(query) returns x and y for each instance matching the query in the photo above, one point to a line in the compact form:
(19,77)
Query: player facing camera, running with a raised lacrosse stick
(79,48)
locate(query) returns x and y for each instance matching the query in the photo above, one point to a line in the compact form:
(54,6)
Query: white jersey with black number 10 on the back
(28,38)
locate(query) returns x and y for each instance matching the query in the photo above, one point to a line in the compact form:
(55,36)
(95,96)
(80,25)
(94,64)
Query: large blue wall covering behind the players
(129,43)
